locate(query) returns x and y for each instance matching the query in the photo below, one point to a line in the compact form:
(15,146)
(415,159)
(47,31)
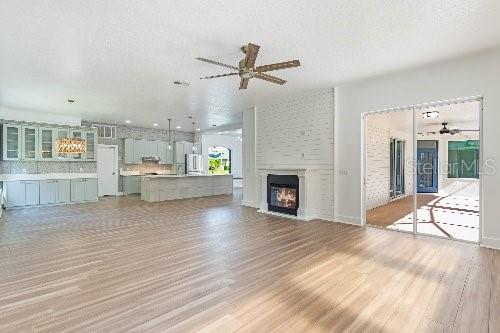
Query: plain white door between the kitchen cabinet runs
(107,170)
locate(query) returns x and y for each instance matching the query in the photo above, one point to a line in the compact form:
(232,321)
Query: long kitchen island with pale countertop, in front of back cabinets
(170,187)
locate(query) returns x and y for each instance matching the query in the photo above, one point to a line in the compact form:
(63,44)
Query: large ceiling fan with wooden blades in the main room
(246,68)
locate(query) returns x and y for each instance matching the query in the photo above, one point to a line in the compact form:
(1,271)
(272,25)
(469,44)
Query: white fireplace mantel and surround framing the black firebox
(306,209)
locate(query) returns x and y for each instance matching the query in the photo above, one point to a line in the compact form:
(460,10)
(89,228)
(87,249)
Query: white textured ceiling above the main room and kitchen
(118,59)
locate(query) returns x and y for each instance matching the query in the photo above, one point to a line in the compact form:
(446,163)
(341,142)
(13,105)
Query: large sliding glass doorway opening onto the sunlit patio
(436,191)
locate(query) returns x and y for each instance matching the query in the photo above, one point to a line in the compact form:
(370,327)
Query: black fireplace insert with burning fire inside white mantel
(283,194)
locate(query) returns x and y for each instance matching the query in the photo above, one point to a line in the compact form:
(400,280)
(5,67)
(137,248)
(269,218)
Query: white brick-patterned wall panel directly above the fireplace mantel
(296,132)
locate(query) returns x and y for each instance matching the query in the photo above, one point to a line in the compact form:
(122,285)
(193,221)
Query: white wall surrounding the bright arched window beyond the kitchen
(228,141)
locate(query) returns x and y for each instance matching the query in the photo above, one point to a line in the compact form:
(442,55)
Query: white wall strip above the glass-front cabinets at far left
(38,117)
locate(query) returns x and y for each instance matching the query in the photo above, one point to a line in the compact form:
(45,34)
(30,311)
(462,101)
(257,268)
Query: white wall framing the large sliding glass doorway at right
(471,76)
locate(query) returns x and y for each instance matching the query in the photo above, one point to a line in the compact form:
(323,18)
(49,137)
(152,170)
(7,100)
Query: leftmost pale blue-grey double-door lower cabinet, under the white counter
(22,193)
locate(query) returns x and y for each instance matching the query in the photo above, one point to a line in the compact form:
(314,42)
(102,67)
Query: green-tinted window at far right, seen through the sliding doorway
(463,159)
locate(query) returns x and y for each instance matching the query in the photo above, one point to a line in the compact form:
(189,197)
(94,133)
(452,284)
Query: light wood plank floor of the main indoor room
(210,264)
